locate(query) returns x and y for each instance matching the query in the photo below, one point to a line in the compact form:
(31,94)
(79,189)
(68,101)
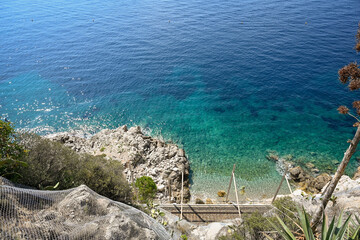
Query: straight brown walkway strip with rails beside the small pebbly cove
(213,212)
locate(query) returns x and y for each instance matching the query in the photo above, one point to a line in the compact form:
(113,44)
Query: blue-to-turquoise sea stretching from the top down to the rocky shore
(226,80)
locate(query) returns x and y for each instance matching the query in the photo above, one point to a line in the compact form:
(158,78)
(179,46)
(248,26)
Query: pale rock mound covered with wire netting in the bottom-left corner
(77,213)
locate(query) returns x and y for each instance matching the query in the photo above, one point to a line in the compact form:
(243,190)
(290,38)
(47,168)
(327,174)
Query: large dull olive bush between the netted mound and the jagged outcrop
(51,162)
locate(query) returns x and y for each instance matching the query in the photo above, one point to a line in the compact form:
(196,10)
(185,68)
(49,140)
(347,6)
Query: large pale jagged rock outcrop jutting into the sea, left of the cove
(141,155)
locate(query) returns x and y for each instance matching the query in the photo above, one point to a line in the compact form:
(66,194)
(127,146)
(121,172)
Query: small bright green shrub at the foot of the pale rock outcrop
(146,188)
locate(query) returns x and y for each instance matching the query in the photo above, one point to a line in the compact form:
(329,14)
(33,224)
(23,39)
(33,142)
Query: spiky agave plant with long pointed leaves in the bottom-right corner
(337,230)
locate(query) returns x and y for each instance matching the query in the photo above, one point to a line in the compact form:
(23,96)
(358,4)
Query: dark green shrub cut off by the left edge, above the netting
(11,153)
